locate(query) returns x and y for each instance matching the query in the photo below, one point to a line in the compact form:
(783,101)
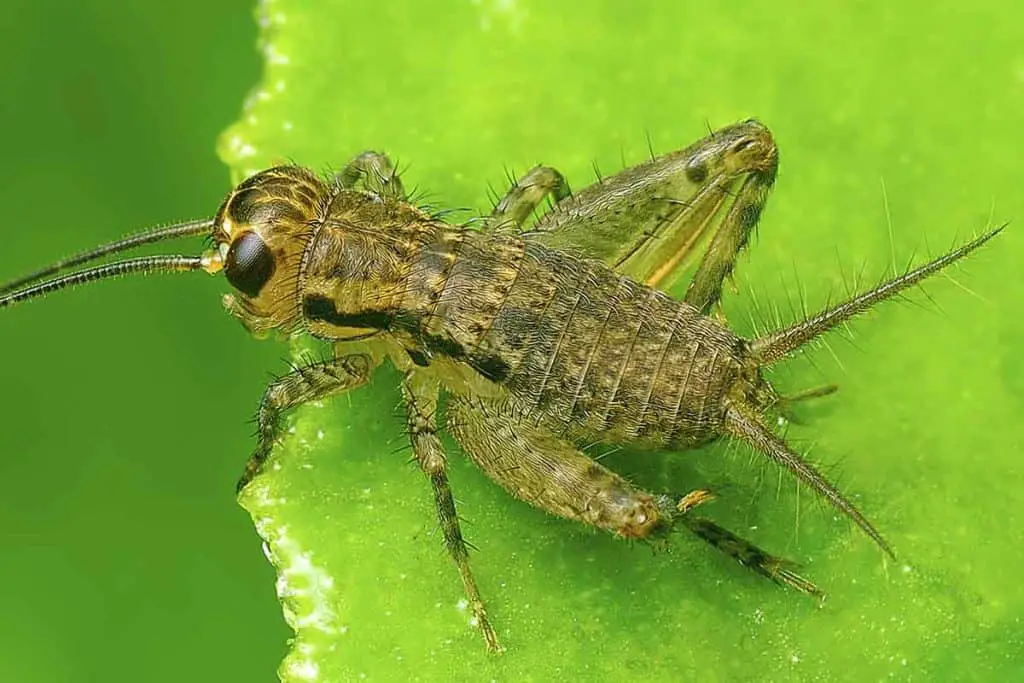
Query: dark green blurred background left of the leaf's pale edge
(124,407)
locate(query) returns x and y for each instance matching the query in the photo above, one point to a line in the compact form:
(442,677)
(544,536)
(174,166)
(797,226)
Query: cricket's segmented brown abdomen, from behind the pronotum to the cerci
(580,348)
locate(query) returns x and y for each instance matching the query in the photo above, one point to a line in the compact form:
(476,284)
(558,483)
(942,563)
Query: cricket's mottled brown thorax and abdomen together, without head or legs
(576,346)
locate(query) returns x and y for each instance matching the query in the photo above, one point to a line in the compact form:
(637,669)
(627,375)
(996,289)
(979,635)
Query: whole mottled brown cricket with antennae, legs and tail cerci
(546,335)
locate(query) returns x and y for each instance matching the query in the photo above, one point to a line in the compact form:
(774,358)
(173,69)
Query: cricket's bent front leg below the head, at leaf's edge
(304,385)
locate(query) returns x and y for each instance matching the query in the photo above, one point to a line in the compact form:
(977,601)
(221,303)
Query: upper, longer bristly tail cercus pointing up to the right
(778,346)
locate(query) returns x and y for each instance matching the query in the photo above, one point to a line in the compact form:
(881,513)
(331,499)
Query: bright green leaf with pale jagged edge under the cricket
(884,115)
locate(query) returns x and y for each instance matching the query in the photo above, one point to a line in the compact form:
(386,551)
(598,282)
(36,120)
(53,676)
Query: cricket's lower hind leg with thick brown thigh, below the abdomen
(550,474)
